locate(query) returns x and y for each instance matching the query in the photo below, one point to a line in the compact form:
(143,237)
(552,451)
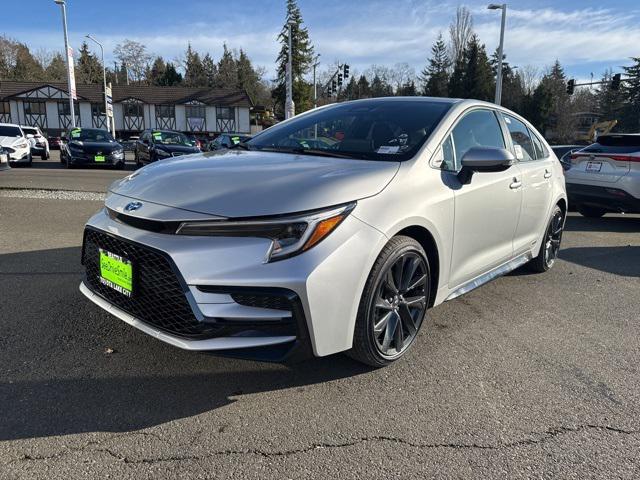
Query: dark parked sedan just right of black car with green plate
(155,145)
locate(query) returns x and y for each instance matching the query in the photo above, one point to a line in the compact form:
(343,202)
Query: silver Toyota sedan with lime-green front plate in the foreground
(332,231)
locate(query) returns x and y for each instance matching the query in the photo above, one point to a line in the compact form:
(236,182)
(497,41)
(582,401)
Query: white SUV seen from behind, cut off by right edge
(605,176)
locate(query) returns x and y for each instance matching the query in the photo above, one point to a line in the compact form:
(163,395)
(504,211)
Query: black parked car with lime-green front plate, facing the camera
(91,147)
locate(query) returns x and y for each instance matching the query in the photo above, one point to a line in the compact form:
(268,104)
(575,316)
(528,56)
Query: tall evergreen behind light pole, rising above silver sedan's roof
(301,61)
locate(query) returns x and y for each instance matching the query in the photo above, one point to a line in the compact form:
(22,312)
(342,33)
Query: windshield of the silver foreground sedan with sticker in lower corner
(368,130)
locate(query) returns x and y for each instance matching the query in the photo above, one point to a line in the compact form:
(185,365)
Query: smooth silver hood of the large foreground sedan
(250,184)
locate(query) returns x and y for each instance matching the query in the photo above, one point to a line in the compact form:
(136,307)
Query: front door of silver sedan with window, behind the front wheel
(488,207)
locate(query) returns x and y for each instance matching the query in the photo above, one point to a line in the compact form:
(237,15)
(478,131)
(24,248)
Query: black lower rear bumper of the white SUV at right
(609,198)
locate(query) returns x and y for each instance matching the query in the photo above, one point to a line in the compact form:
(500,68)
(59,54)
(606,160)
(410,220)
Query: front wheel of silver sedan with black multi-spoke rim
(393,305)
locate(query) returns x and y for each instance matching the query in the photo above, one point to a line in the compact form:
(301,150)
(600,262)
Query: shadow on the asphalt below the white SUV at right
(623,261)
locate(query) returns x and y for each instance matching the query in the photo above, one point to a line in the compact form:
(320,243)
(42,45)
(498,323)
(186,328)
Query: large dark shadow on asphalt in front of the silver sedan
(60,378)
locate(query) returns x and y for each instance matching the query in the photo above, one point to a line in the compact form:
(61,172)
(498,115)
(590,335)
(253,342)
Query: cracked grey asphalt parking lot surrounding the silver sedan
(531,376)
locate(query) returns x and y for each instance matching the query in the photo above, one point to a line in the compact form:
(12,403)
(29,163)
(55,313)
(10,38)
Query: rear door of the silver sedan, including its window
(536,167)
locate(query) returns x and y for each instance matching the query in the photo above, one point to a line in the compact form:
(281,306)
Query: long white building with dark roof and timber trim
(204,111)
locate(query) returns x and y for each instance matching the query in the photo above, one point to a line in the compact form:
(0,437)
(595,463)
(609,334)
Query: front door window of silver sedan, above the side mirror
(479,128)
